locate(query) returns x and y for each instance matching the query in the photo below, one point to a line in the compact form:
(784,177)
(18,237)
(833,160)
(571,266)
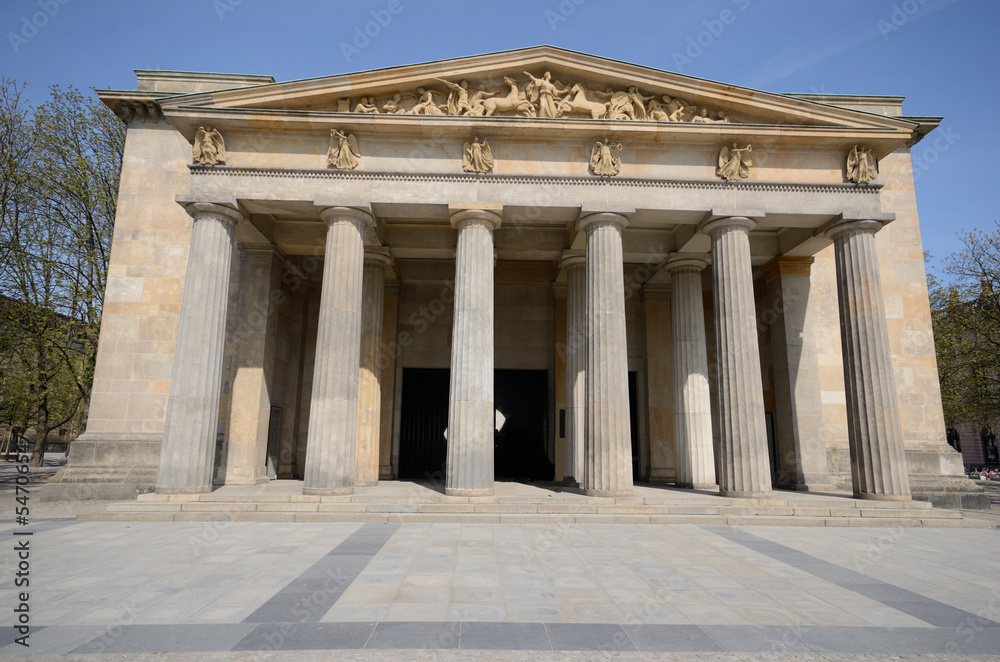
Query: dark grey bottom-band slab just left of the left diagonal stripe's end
(168,639)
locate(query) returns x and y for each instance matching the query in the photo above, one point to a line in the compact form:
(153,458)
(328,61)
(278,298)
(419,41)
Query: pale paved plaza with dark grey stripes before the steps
(249,590)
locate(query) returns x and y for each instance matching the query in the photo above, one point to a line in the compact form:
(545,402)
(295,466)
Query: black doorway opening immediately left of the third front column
(422,422)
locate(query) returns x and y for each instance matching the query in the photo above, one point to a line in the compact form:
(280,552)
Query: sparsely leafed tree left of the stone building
(62,178)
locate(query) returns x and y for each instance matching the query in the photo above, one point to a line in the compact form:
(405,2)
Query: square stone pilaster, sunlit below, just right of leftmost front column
(253,354)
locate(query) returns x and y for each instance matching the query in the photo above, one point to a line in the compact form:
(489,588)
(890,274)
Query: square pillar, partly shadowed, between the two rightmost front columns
(799,413)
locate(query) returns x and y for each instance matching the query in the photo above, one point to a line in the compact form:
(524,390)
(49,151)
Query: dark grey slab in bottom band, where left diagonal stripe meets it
(306,636)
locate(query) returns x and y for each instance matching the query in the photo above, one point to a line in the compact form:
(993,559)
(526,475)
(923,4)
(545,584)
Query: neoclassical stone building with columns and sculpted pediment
(535,264)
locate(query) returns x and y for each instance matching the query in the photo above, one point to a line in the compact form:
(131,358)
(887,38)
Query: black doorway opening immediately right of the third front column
(521,444)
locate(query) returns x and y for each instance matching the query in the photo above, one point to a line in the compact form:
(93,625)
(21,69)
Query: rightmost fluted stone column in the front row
(878,462)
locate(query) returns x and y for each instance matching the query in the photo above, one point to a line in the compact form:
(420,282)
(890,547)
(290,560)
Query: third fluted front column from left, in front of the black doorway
(471,420)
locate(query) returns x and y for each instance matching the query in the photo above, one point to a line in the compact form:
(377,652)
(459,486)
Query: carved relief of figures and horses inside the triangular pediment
(539,96)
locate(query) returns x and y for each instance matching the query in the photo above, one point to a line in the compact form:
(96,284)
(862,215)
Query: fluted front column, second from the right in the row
(744,463)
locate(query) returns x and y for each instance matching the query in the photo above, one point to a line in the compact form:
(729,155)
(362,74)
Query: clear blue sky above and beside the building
(943,55)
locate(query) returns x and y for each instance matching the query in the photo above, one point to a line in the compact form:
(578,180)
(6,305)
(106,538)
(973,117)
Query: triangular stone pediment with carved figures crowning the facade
(583,87)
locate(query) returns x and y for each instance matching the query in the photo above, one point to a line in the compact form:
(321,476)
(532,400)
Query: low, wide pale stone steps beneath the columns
(515,503)
